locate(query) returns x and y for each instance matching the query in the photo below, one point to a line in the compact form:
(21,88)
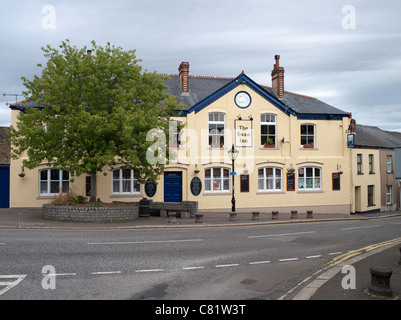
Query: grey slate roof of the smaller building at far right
(374,137)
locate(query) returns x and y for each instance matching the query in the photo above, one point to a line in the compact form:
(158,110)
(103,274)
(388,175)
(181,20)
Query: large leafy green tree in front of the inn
(95,112)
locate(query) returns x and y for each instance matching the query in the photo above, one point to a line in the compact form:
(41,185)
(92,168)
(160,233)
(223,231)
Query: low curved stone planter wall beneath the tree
(90,214)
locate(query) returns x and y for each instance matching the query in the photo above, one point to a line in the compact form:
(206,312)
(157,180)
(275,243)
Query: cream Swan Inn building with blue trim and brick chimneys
(293,152)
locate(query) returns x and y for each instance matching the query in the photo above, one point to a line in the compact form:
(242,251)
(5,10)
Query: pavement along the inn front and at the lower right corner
(325,284)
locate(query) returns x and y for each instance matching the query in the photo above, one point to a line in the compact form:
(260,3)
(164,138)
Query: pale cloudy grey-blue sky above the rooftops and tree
(346,53)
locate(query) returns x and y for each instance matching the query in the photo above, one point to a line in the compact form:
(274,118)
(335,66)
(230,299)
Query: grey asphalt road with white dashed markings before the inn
(258,262)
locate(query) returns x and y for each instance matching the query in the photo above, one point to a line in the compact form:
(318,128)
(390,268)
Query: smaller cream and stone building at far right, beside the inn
(374,183)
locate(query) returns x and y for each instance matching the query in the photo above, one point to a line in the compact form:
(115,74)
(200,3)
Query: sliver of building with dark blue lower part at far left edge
(4,169)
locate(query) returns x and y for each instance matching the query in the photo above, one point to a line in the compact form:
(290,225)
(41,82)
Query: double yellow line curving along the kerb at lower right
(340,259)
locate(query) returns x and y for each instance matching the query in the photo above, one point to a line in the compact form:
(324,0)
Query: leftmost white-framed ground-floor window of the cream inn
(54,181)
